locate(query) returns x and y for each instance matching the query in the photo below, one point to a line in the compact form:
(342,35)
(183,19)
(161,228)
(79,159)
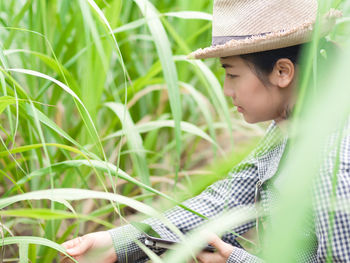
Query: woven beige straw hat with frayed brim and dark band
(248,26)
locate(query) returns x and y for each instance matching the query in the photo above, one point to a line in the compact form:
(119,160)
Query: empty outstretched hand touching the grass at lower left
(96,247)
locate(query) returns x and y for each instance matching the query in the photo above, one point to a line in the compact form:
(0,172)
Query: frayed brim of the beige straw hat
(295,36)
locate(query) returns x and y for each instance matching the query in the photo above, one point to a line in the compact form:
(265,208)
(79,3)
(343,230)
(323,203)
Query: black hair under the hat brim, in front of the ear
(264,62)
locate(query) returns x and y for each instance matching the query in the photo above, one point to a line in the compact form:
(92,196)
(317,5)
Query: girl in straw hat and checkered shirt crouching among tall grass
(259,44)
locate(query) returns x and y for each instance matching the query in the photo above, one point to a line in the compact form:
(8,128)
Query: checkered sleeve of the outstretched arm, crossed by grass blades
(236,190)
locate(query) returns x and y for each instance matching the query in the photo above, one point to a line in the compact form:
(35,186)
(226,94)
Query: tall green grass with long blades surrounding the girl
(98,98)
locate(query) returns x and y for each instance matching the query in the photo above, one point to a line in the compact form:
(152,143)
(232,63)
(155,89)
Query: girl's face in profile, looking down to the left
(253,99)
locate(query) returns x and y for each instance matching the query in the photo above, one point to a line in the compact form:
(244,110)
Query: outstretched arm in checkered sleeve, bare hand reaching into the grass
(237,189)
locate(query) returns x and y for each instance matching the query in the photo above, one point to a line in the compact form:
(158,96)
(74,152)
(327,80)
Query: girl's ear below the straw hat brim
(283,73)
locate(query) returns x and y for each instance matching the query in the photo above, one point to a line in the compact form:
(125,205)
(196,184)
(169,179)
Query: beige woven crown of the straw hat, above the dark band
(253,17)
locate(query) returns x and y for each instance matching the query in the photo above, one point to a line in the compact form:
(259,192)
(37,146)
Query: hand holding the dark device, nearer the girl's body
(223,251)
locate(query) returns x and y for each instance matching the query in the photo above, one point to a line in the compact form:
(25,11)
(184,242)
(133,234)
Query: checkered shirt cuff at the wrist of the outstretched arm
(124,244)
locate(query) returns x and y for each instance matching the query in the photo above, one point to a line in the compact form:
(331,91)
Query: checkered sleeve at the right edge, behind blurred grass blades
(332,217)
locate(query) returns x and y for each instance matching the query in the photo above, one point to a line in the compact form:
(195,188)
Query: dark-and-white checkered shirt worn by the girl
(238,189)
